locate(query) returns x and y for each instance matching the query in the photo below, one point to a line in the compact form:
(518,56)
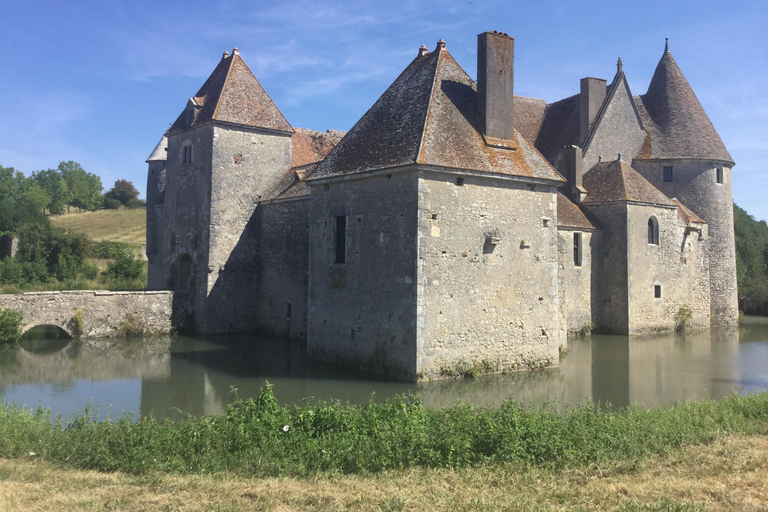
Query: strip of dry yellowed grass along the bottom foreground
(730,474)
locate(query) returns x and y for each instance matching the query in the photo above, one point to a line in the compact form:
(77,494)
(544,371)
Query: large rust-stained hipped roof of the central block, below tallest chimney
(427,116)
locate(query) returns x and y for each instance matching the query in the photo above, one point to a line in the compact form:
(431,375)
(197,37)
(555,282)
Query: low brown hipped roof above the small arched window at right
(617,181)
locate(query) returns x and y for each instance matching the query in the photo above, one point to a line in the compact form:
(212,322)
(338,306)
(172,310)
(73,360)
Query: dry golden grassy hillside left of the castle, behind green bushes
(123,225)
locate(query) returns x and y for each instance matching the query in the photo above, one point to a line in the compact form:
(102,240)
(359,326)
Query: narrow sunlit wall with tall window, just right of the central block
(577,285)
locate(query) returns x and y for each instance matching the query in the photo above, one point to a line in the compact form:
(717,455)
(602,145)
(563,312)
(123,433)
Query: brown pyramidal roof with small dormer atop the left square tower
(233,95)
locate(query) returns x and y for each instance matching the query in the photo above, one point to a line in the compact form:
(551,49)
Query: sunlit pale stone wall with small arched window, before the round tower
(678,264)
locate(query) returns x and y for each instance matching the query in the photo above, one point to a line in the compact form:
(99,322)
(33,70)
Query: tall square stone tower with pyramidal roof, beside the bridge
(226,149)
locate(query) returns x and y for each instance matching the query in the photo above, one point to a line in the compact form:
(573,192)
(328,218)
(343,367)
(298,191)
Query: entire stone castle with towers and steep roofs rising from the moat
(456,226)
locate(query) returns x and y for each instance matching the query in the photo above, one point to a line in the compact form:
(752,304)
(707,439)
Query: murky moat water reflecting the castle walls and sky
(175,376)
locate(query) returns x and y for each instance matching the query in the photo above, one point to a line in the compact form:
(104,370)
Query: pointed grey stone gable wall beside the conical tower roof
(619,131)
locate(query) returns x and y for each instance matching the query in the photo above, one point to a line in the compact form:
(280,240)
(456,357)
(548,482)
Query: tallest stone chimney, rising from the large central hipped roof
(495,80)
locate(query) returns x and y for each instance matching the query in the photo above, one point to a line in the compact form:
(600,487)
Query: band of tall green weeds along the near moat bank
(260,437)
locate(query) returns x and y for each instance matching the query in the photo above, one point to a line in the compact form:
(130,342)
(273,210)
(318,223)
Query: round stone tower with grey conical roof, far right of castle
(684,157)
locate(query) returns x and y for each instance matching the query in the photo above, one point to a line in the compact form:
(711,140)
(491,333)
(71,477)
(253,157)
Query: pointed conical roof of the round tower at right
(677,124)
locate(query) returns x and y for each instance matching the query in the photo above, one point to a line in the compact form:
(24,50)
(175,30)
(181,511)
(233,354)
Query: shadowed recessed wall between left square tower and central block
(283,254)
